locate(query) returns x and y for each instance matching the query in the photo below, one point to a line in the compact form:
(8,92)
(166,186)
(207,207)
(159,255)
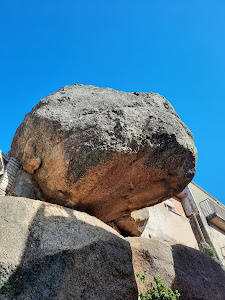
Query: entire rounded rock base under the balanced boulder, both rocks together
(51,252)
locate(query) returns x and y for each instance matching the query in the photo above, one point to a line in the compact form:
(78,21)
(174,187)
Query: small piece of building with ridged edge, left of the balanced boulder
(9,168)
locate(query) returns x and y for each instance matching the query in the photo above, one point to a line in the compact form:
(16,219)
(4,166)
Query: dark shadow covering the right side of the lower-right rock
(197,276)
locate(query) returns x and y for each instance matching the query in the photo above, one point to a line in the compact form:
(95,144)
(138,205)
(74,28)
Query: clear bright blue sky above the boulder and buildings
(175,48)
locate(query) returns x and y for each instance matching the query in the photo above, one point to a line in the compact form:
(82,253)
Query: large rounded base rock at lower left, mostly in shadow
(50,252)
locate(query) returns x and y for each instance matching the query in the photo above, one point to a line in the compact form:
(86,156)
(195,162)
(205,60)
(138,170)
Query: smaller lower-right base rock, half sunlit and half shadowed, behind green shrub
(196,275)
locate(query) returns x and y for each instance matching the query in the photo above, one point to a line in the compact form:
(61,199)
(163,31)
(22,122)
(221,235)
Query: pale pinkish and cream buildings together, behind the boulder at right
(193,218)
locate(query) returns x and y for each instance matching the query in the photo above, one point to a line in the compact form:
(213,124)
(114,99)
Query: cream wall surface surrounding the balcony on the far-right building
(216,235)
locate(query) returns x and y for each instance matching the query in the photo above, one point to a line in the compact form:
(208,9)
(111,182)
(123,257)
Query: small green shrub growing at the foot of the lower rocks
(158,291)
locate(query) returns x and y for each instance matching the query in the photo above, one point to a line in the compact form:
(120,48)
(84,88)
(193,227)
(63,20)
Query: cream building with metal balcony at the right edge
(207,216)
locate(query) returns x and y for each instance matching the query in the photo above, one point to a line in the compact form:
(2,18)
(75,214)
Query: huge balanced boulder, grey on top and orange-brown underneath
(105,152)
